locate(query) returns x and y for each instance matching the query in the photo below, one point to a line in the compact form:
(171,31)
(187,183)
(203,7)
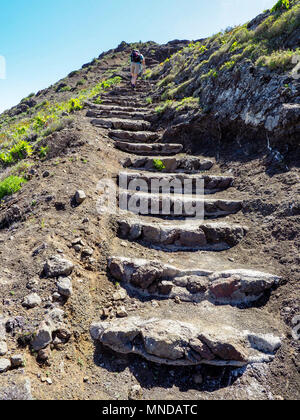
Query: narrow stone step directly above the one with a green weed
(149,149)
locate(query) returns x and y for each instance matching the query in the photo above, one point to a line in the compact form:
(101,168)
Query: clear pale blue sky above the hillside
(43,41)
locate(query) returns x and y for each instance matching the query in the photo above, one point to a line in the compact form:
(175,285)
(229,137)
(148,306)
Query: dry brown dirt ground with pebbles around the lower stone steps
(80,157)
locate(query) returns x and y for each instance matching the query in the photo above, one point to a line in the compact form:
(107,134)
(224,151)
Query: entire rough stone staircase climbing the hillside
(202,310)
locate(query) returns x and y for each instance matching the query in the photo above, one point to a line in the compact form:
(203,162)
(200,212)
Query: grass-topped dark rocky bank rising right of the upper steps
(241,86)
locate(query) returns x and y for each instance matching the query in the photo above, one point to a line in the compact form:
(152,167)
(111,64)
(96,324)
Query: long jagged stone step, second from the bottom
(230,287)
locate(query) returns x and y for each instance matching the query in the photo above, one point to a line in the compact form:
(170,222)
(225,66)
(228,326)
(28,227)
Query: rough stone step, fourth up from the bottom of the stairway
(176,206)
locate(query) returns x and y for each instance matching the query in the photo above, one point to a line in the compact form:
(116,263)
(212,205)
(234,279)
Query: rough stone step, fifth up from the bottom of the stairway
(175,183)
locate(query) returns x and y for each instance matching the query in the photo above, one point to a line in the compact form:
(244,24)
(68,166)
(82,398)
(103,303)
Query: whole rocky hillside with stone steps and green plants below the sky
(106,305)
